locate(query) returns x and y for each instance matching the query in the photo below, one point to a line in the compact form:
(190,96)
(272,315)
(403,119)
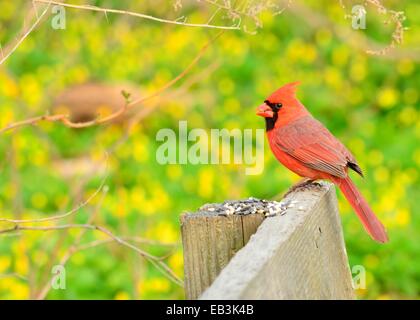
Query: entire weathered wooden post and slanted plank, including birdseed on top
(298,253)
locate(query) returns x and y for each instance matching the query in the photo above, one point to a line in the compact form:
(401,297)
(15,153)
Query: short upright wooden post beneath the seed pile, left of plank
(210,241)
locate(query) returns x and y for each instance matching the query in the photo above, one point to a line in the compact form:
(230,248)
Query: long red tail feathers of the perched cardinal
(371,223)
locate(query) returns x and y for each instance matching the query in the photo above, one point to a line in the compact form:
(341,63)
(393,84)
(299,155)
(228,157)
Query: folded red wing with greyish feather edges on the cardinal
(308,141)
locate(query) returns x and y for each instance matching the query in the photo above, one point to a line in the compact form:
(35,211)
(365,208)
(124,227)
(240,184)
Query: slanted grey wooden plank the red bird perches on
(298,255)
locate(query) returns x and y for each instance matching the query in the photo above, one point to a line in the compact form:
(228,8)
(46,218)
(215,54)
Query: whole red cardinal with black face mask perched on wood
(305,146)
